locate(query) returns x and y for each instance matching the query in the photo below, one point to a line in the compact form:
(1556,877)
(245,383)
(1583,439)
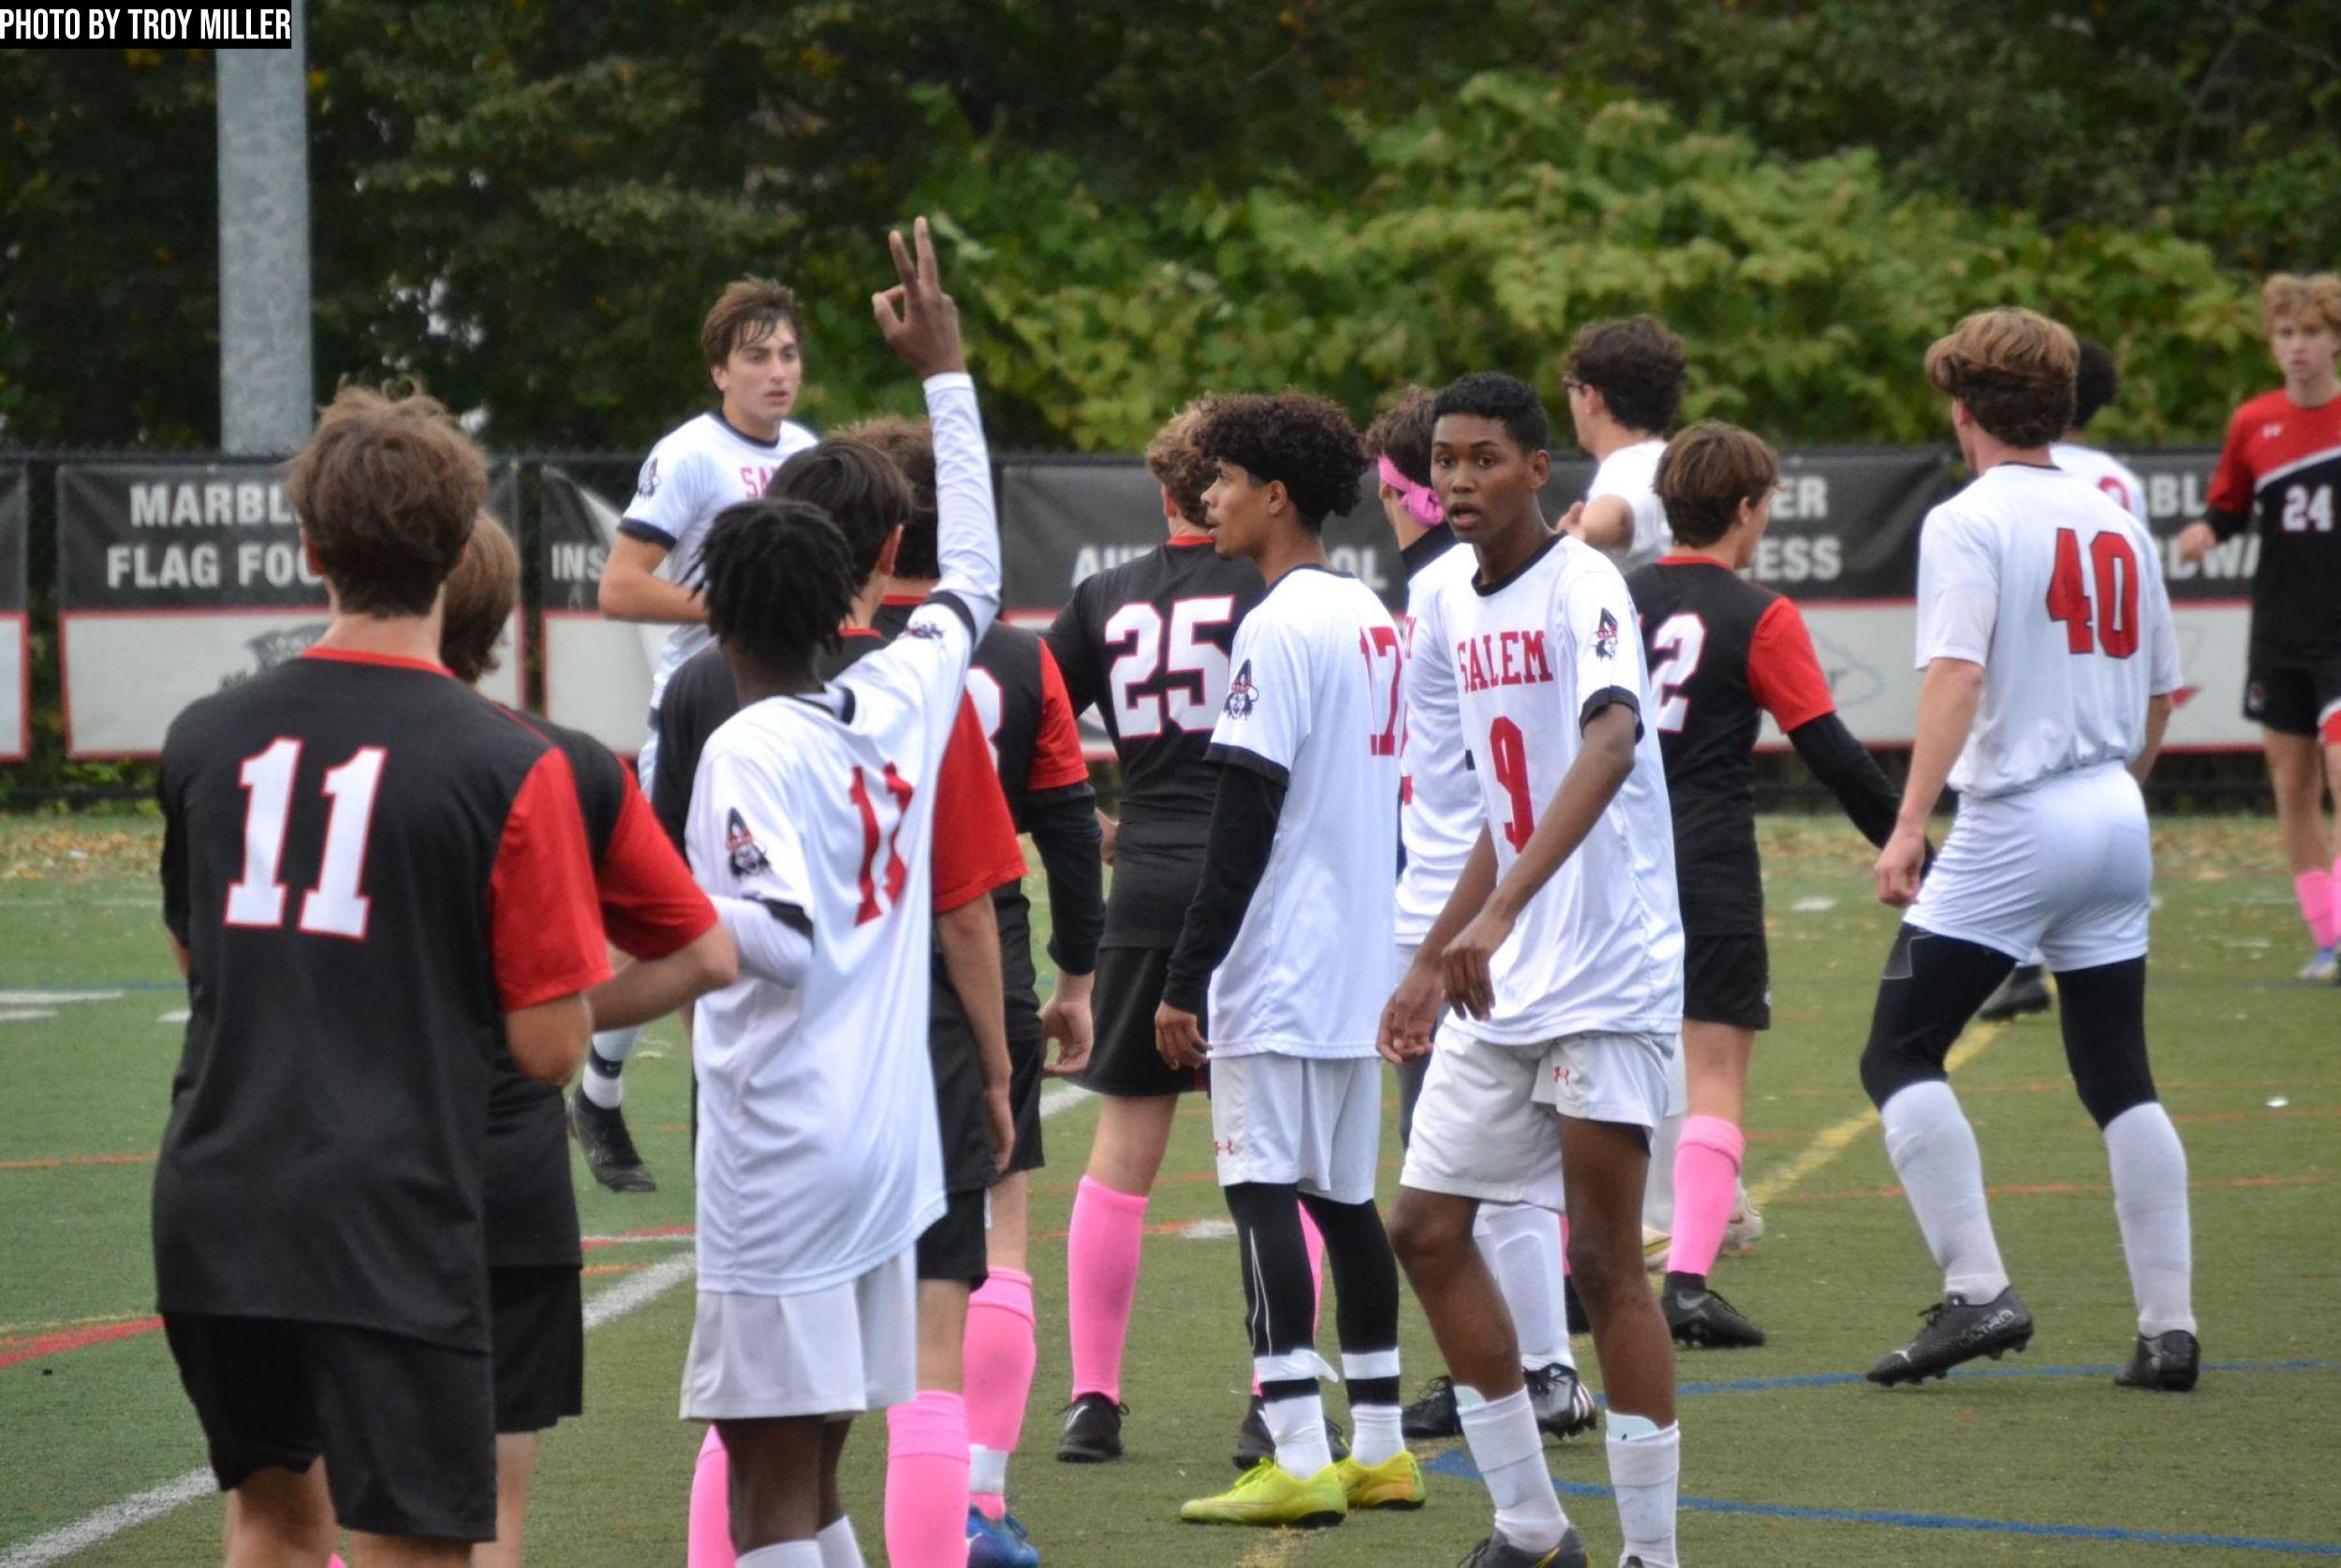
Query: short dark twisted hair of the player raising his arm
(778,582)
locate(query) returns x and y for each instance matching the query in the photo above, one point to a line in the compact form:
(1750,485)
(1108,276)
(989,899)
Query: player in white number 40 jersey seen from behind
(2050,656)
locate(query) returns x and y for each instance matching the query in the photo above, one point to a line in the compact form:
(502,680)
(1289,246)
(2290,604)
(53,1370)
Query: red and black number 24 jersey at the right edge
(2281,472)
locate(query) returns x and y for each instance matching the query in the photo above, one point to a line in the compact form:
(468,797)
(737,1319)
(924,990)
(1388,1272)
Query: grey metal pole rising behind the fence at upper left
(268,392)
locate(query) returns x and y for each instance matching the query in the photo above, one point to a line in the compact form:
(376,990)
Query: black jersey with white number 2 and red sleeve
(1724,654)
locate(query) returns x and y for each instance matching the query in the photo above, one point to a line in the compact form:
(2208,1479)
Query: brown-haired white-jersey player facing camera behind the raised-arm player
(699,469)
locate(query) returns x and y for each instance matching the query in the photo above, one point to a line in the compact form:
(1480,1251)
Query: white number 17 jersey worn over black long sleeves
(1314,703)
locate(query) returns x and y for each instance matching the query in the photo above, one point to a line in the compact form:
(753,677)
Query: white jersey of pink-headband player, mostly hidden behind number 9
(1441,816)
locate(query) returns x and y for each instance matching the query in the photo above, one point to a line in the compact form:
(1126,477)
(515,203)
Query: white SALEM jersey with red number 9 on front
(1600,949)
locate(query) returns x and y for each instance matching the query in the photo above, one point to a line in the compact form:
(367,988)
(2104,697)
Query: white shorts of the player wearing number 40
(2064,869)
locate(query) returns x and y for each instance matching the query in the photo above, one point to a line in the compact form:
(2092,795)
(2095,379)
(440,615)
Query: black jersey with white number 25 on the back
(1148,642)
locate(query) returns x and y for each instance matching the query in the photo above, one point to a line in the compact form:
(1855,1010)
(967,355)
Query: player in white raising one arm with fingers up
(811,827)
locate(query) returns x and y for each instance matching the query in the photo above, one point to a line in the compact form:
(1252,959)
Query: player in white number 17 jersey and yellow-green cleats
(1291,935)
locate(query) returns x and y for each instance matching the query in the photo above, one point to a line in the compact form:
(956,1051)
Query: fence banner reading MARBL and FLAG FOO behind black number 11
(179,582)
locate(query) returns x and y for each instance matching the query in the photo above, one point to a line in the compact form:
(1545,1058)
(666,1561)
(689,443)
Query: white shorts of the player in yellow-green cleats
(1296,1120)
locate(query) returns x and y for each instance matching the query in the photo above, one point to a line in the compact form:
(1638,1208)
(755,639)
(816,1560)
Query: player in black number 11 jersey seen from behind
(378,886)
